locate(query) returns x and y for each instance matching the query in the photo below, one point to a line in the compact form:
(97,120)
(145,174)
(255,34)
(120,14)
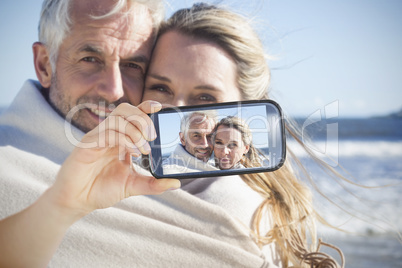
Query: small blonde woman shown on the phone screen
(233,147)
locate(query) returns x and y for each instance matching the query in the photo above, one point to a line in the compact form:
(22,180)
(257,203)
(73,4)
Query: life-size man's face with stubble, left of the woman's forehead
(101,63)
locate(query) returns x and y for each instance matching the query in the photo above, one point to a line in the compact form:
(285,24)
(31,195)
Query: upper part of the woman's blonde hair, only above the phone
(235,35)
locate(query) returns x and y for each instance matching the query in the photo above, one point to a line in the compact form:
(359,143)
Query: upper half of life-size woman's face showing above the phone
(190,71)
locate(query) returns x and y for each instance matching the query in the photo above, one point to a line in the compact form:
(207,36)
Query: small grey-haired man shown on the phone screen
(196,148)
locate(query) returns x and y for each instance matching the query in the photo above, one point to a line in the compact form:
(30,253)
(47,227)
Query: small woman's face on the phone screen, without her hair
(228,147)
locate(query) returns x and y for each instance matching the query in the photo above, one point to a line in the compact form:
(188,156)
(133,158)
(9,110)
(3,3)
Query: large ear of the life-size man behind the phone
(42,65)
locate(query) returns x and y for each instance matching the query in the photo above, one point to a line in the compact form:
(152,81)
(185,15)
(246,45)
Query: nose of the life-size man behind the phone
(111,85)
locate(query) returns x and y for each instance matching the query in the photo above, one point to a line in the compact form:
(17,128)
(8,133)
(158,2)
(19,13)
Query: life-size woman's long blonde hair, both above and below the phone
(287,202)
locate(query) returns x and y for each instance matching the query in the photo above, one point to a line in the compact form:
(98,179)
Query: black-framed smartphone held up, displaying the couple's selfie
(218,140)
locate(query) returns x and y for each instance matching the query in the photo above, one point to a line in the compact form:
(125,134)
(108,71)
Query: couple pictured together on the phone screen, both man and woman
(207,144)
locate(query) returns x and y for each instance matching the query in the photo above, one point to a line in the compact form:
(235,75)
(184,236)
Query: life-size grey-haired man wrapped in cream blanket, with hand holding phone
(55,179)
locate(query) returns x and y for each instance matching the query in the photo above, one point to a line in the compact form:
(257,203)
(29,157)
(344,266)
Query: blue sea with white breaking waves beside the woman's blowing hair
(367,204)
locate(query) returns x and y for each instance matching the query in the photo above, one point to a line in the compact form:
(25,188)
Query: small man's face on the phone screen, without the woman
(197,140)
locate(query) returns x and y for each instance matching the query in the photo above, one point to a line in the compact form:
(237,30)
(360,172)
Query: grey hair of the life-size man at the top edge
(55,21)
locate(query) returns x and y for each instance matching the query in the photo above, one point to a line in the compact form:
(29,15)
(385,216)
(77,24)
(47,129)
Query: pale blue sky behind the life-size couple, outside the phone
(323,54)
